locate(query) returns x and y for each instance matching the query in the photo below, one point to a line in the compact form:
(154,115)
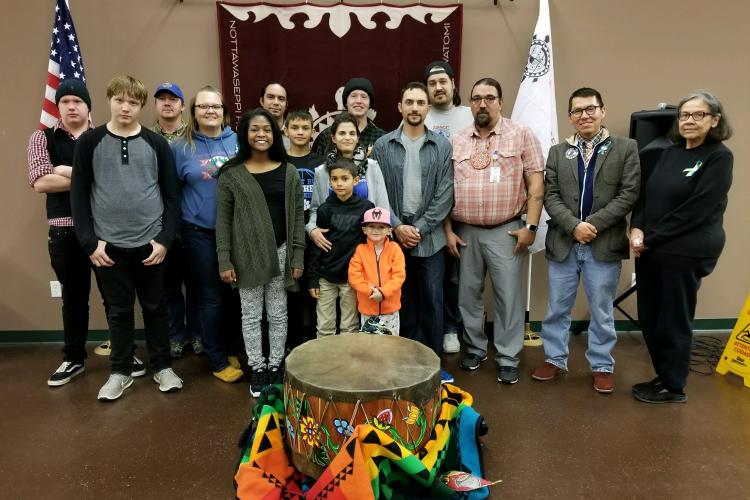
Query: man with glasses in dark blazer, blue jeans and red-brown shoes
(592,183)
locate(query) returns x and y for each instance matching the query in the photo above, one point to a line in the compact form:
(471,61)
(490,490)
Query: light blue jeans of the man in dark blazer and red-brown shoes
(600,280)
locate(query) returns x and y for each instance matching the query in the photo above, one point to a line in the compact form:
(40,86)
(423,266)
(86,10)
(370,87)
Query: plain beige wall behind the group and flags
(637,53)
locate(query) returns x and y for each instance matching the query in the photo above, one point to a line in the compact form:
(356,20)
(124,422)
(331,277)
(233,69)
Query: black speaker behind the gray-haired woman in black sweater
(649,129)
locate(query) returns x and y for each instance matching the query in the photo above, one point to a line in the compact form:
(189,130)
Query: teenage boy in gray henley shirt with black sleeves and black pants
(125,201)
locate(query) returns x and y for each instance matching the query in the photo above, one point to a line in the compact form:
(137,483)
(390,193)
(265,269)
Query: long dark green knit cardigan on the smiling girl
(245,239)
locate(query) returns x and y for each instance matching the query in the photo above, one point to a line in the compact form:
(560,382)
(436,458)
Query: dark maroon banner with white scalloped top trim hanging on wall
(313,50)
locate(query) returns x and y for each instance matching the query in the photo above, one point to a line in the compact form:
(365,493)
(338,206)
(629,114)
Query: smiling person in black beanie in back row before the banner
(359,98)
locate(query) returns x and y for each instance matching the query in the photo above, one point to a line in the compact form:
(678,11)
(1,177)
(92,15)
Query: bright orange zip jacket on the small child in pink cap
(386,274)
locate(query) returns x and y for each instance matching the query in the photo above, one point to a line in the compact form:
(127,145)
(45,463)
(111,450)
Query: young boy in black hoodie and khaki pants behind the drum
(339,216)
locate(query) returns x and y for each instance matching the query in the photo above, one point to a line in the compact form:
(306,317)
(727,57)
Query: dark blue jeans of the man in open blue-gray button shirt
(422,300)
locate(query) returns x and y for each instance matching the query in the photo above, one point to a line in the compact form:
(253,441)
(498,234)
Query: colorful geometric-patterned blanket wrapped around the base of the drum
(371,464)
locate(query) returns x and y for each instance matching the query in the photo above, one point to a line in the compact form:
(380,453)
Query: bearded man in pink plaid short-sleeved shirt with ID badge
(498,175)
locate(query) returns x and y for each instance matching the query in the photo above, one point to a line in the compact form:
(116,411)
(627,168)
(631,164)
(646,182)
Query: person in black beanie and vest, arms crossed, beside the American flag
(50,160)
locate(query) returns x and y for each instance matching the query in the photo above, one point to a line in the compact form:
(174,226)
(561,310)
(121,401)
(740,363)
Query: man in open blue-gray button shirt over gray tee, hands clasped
(418,173)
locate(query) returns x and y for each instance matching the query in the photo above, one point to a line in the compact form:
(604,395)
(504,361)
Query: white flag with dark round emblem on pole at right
(535,104)
